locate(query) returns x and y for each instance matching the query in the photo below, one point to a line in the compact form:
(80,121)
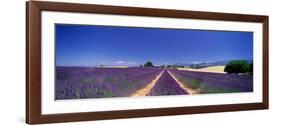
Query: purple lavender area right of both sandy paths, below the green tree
(214,82)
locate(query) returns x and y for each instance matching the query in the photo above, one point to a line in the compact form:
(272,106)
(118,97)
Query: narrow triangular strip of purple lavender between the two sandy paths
(166,85)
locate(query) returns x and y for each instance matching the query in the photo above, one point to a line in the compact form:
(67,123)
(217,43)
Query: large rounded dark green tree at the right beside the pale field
(237,66)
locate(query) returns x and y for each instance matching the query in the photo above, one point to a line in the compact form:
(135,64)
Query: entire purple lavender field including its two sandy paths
(88,82)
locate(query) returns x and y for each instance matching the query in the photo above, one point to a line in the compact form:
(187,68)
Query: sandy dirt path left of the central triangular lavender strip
(144,91)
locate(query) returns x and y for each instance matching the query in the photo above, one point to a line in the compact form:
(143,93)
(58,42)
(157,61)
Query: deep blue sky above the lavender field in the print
(86,45)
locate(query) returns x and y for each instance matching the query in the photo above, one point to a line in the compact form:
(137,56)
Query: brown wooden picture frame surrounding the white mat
(33,61)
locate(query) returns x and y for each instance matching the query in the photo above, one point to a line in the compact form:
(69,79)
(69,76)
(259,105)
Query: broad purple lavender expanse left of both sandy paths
(79,82)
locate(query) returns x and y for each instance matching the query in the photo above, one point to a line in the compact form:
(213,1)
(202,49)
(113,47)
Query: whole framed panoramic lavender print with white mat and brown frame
(93,62)
